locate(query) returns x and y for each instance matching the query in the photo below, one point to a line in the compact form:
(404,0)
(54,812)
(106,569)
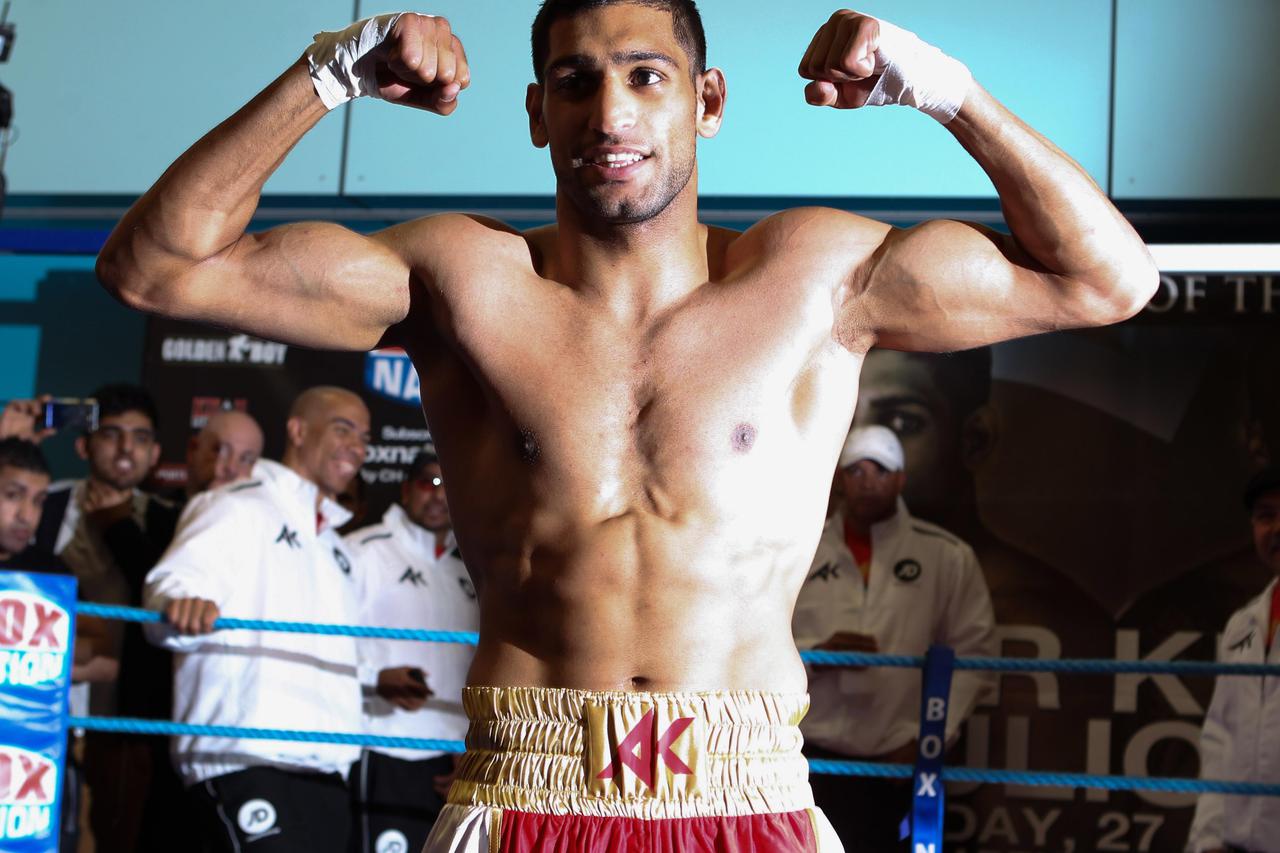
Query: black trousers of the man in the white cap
(867,814)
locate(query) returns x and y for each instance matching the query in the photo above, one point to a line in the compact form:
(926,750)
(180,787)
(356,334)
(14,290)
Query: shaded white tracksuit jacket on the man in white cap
(925,589)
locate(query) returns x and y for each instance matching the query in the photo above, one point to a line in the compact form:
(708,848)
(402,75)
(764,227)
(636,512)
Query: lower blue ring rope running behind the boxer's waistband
(816,765)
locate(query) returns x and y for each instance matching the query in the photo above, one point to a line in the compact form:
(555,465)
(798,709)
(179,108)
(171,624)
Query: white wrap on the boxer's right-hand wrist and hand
(916,74)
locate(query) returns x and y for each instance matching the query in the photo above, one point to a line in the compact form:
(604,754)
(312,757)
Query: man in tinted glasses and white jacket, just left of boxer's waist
(413,577)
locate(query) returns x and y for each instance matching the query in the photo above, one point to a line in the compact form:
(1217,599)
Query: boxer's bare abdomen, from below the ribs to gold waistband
(641,604)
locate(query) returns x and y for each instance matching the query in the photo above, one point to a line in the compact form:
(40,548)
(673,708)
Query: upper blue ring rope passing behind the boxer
(810,656)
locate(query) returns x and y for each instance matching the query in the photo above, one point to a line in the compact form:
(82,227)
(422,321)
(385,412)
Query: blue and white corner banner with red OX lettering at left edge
(38,615)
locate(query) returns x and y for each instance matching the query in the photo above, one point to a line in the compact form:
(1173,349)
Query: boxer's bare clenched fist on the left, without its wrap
(423,65)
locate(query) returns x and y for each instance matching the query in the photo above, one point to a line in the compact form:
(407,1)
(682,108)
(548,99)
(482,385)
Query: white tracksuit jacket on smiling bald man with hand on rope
(254,550)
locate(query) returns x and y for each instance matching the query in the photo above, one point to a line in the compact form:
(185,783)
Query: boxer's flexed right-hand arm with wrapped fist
(1071,261)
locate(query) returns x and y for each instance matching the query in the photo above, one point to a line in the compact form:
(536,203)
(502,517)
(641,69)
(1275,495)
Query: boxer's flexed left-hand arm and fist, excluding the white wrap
(182,249)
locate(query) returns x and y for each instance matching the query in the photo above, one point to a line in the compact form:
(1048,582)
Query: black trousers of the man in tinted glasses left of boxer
(396,802)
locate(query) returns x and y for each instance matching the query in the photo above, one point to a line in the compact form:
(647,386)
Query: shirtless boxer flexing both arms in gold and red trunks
(638,414)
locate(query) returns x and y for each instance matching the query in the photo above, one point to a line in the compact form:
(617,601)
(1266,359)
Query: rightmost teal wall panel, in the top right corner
(1197,95)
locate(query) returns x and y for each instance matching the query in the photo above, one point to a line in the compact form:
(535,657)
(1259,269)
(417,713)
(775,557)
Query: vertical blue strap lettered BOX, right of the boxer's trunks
(927,797)
